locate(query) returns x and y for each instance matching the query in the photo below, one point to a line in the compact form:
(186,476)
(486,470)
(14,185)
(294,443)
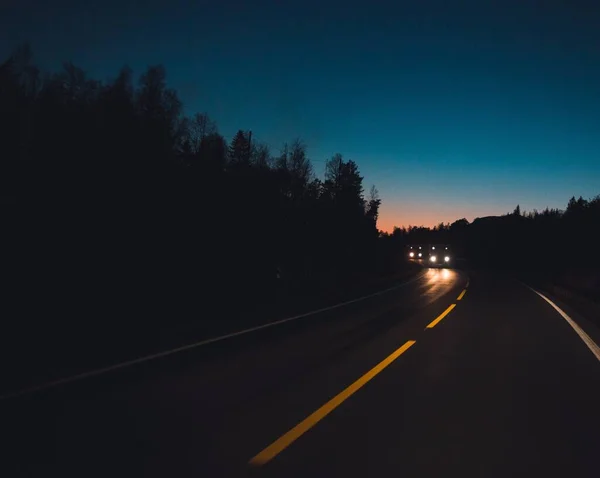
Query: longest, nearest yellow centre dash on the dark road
(291,436)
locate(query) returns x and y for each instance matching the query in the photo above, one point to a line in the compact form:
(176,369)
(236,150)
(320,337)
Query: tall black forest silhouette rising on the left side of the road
(109,190)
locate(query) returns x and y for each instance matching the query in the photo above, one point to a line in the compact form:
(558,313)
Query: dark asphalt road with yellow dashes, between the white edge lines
(412,382)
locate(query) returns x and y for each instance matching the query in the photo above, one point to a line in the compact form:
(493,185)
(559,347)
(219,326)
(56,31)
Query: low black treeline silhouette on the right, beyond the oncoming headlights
(554,244)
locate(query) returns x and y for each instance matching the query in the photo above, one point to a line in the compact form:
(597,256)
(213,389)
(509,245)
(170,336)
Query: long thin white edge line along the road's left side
(146,358)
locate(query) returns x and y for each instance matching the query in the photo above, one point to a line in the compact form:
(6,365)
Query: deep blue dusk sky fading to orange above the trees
(452,109)
